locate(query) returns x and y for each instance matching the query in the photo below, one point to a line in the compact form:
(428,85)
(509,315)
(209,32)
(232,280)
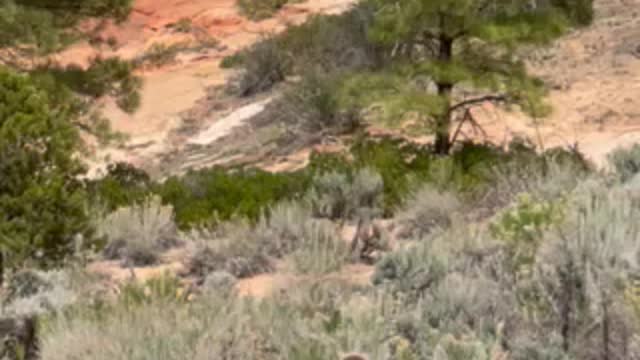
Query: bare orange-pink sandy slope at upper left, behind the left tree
(170,91)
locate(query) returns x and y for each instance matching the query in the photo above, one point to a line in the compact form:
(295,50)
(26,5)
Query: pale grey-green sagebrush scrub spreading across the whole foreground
(551,275)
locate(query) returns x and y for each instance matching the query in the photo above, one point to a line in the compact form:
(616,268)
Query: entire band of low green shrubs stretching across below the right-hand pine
(208,196)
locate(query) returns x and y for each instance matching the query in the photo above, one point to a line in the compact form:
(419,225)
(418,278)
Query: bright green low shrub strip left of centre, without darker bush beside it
(218,194)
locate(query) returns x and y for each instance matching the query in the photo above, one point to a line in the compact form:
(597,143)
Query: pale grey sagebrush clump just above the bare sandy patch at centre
(288,231)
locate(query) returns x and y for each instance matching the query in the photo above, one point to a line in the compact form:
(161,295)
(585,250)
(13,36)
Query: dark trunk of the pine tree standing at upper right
(443,123)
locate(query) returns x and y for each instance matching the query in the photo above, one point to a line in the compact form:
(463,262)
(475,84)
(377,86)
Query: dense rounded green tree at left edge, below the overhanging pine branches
(42,205)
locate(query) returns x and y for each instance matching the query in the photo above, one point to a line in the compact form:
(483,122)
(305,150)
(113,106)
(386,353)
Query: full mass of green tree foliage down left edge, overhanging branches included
(42,201)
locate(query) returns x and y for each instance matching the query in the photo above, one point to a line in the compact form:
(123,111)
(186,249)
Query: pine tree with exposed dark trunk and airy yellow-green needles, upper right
(469,50)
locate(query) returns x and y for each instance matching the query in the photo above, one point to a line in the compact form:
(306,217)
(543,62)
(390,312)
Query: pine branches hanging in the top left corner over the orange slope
(33,29)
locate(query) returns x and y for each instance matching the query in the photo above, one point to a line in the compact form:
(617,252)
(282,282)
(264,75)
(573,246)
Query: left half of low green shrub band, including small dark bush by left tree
(201,196)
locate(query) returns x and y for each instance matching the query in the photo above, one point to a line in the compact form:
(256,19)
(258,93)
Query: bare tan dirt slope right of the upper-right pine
(595,79)
